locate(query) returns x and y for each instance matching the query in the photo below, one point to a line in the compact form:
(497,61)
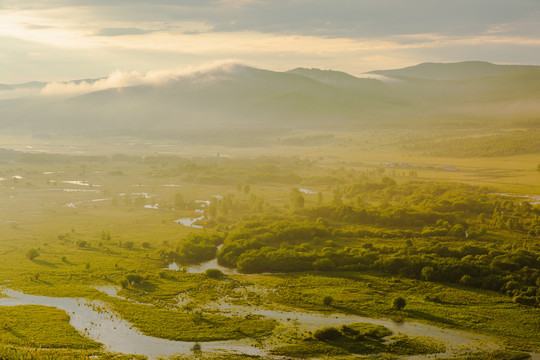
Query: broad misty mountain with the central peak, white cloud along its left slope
(243,96)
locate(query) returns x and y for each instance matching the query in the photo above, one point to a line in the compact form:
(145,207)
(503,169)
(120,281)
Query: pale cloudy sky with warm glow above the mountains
(61,40)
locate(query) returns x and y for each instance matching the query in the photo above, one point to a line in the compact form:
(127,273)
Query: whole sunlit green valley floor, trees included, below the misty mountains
(315,223)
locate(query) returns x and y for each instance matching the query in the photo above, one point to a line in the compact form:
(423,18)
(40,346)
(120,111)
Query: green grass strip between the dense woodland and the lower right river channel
(370,295)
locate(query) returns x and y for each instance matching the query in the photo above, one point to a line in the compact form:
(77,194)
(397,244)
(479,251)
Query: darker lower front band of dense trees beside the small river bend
(289,246)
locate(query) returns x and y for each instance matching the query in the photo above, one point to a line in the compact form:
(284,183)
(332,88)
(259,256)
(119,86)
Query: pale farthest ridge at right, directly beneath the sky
(455,71)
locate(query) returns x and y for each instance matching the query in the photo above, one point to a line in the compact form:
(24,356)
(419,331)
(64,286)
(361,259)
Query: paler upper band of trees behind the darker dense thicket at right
(425,203)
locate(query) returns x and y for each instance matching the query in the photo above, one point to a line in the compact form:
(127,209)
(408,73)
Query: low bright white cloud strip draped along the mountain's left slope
(120,79)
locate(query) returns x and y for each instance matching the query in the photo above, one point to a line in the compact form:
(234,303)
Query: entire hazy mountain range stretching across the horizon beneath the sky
(241,97)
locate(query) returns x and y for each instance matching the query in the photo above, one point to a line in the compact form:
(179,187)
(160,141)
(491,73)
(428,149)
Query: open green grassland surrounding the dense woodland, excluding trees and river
(95,232)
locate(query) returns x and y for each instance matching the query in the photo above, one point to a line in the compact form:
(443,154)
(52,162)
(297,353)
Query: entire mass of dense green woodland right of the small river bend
(442,232)
